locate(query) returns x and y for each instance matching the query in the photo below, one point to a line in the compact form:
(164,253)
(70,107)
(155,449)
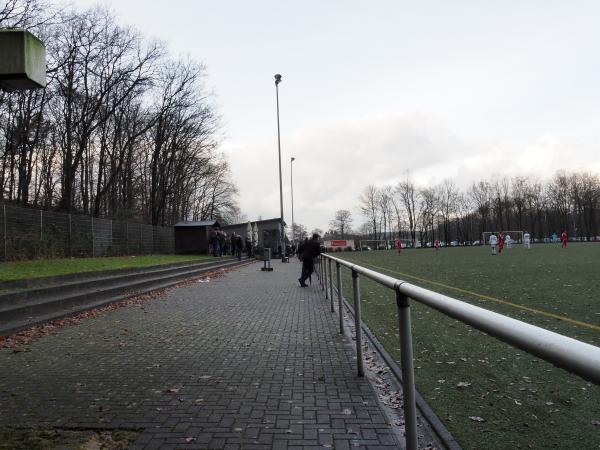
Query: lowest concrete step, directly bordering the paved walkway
(17,316)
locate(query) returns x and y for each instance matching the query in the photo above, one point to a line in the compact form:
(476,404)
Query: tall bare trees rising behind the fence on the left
(122,129)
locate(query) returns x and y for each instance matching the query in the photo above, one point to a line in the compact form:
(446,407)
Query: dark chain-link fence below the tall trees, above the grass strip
(31,233)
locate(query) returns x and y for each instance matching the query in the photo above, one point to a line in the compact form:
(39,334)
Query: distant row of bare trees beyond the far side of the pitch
(568,201)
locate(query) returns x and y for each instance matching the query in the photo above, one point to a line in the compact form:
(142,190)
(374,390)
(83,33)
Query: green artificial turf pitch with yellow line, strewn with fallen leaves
(489,394)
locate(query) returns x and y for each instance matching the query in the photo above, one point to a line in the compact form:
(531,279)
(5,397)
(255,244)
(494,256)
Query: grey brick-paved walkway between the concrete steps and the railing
(249,360)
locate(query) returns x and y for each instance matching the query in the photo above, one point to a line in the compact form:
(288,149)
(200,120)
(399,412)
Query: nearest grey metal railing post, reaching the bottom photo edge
(408,373)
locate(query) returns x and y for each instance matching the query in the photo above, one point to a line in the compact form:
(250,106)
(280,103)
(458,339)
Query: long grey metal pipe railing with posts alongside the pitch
(569,354)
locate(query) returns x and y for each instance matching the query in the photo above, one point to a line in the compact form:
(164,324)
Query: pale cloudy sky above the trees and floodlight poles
(373,92)
